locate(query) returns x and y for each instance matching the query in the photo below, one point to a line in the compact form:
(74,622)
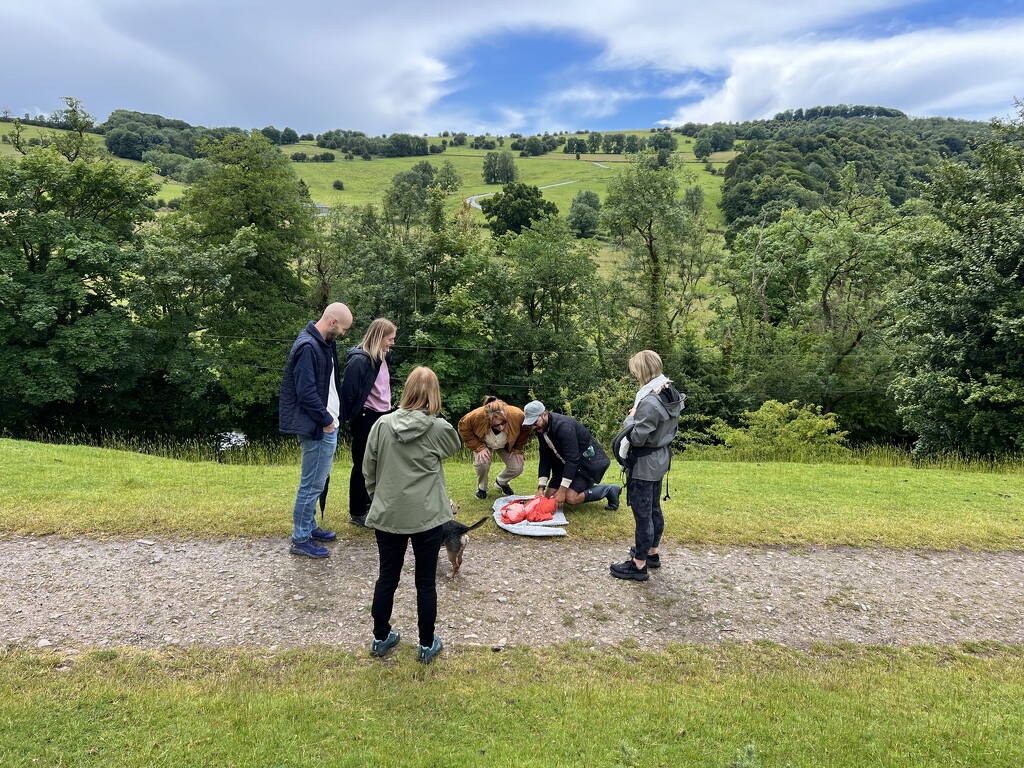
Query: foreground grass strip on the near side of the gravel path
(729,707)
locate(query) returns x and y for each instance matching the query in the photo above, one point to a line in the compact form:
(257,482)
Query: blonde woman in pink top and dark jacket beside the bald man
(366,397)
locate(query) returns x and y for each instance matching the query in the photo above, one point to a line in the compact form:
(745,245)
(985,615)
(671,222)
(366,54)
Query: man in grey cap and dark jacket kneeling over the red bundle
(572,463)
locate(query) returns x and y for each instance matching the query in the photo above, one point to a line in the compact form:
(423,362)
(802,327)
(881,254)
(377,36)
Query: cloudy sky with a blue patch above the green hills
(527,67)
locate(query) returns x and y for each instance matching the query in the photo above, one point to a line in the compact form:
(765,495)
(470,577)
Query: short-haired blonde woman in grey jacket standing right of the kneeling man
(645,449)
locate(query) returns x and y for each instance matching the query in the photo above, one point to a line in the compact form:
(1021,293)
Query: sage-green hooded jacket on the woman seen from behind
(404,473)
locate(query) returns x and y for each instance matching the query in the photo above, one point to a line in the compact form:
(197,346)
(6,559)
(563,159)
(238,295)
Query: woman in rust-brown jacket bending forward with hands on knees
(495,429)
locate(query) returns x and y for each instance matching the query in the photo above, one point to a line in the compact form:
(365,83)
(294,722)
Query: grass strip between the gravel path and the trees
(83,491)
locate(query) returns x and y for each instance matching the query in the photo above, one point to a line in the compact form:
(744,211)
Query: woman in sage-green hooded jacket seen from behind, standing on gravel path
(409,502)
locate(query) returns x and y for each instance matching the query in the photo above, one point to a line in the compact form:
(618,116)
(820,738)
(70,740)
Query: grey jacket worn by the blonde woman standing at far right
(652,429)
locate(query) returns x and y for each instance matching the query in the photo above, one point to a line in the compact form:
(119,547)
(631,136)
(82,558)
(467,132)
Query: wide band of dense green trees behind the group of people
(894,307)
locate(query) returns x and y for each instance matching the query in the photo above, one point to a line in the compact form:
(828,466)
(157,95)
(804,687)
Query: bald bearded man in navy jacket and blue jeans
(309,409)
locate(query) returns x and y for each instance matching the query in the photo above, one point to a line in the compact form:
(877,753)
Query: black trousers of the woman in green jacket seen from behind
(392,548)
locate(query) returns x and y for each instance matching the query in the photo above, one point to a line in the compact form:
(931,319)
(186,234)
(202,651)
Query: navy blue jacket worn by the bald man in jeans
(307,385)
